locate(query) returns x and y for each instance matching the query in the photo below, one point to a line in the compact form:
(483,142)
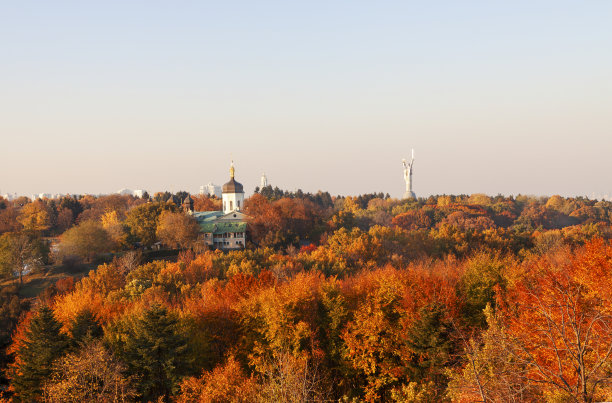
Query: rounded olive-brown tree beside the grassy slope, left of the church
(86,240)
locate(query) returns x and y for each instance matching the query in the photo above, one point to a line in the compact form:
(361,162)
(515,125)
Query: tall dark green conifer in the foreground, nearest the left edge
(42,345)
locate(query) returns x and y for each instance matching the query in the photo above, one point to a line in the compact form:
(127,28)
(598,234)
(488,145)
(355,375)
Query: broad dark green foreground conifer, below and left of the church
(154,350)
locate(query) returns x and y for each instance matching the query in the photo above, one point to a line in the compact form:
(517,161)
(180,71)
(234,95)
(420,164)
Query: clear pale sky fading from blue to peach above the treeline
(495,97)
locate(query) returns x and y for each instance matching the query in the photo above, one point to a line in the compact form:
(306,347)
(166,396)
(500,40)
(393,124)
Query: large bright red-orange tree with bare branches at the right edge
(558,318)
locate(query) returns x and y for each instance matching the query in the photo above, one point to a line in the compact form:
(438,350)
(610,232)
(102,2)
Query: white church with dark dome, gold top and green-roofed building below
(224,229)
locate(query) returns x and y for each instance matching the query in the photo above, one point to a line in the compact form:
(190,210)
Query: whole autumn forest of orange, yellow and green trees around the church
(333,299)
